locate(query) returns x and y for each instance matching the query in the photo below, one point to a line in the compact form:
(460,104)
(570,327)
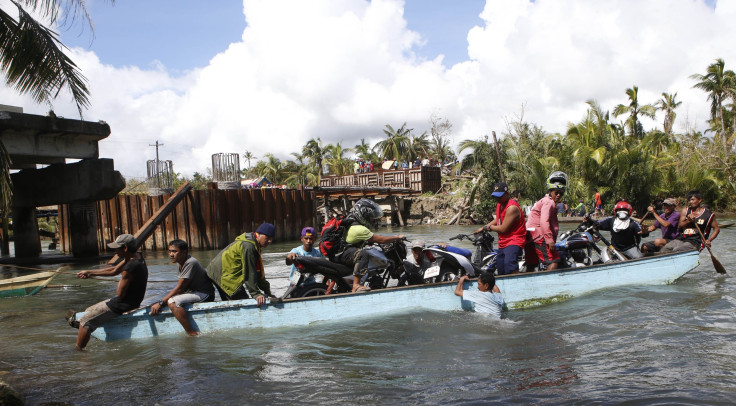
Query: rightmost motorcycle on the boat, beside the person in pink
(576,246)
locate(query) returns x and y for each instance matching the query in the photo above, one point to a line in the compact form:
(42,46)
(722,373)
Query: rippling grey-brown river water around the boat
(663,344)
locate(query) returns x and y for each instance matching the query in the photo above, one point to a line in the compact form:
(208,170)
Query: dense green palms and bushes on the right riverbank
(598,153)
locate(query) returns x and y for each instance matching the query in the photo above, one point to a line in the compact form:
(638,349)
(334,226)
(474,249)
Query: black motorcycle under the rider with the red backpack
(320,276)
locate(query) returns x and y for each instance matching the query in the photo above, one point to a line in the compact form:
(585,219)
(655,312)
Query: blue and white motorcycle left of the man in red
(449,263)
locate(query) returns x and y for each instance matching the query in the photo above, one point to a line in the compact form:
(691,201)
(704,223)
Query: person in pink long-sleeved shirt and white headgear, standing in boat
(542,223)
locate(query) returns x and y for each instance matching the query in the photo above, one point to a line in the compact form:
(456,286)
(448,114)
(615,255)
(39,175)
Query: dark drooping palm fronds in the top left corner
(31,55)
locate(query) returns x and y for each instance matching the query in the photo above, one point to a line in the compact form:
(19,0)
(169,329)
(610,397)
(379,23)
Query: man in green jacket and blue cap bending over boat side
(239,267)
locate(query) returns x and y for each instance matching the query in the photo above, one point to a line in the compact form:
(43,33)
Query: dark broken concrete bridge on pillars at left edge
(39,147)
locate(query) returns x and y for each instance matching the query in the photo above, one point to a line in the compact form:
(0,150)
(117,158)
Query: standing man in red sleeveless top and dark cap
(510,225)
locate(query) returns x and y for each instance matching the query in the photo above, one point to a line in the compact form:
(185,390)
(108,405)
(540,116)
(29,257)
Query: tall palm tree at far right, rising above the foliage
(718,83)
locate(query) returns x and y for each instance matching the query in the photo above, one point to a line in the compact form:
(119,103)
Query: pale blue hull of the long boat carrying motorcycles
(519,291)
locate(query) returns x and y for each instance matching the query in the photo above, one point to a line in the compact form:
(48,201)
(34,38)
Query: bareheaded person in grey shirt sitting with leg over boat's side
(194,286)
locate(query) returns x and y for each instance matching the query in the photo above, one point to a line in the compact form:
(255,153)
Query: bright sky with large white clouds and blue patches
(266,76)
